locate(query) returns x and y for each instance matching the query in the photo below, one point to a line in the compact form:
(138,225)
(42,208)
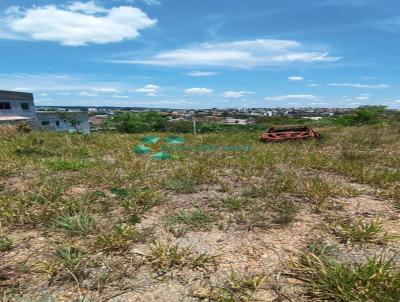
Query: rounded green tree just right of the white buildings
(134,122)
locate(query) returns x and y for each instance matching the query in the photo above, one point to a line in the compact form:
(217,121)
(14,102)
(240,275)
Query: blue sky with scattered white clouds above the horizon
(202,54)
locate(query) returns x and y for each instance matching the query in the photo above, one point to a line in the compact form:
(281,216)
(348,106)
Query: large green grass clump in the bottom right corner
(377,279)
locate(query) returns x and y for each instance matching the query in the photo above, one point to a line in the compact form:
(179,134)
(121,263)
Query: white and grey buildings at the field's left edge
(19,107)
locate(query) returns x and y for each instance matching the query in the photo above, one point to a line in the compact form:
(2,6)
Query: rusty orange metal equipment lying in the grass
(281,133)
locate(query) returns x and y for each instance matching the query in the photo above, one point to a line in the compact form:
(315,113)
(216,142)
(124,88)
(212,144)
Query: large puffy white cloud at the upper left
(77,24)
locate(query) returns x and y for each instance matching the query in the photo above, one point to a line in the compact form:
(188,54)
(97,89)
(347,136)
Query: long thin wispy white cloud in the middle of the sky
(238,54)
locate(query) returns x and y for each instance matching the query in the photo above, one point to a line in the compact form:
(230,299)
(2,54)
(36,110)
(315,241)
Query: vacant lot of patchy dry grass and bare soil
(83,218)
